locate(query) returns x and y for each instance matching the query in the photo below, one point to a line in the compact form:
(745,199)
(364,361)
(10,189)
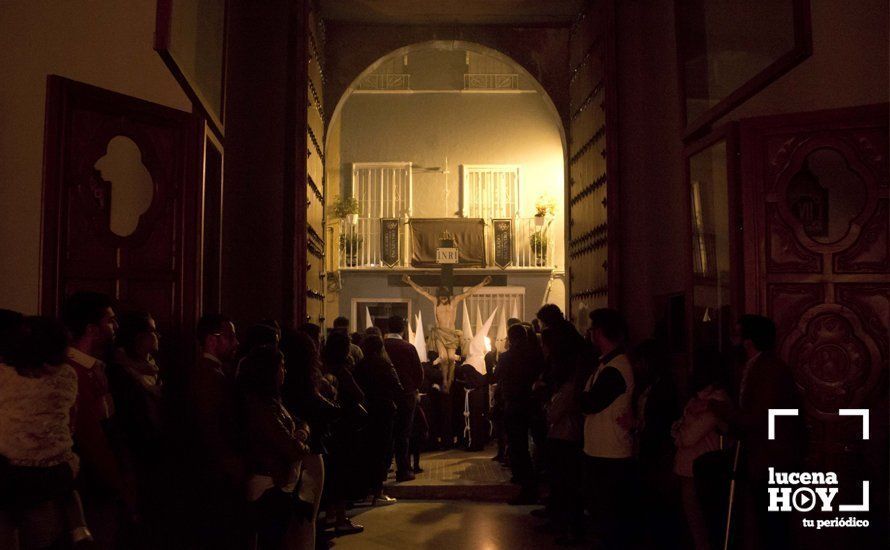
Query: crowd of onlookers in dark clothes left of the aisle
(261,443)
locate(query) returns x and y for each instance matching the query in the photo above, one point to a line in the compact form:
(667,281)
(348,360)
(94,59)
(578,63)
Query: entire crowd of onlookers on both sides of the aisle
(266,442)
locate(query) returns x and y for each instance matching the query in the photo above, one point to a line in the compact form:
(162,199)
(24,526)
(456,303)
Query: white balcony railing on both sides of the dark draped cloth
(359,245)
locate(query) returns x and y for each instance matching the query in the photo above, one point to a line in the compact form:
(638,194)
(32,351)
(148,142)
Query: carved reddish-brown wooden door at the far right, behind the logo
(817,261)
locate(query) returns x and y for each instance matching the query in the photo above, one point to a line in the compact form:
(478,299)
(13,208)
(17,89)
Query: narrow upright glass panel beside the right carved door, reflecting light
(715,229)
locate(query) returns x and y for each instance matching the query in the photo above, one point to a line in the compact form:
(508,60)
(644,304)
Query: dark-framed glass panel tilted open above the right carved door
(729,50)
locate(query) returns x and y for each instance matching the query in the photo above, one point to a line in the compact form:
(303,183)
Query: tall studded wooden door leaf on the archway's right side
(592,169)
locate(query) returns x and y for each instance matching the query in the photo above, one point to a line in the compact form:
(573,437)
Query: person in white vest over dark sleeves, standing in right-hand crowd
(608,443)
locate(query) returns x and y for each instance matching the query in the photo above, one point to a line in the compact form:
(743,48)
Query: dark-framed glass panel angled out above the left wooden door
(190,38)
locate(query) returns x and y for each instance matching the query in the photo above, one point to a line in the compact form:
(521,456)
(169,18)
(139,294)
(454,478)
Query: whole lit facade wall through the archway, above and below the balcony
(437,121)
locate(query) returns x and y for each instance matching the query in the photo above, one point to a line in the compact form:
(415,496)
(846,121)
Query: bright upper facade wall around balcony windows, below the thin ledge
(467,128)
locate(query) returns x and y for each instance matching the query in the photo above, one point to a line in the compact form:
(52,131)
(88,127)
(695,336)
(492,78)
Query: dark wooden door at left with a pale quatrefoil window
(99,146)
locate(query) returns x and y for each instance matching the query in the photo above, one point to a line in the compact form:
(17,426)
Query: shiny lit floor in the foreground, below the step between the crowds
(449,525)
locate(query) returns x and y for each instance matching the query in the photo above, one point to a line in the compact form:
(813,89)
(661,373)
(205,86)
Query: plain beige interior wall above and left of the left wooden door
(105,43)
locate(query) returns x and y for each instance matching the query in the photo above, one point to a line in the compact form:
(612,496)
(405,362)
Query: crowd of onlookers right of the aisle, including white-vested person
(626,463)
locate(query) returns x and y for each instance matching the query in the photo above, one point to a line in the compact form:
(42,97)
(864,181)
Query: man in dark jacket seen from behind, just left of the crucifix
(407,364)
